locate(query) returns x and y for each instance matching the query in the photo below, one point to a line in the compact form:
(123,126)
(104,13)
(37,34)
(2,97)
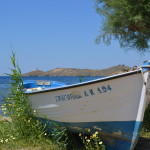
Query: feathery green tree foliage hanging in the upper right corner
(127,21)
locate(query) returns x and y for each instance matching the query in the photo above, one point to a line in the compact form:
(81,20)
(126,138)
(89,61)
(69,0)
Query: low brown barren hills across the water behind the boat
(80,72)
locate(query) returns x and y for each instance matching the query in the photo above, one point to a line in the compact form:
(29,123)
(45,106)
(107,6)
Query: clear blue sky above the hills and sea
(48,34)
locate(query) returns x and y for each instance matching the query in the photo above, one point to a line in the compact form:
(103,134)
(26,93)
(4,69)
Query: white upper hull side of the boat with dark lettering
(88,104)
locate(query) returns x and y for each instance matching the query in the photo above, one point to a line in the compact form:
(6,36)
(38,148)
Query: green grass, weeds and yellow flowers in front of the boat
(22,131)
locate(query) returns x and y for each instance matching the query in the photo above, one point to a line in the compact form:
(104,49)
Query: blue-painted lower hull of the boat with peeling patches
(121,135)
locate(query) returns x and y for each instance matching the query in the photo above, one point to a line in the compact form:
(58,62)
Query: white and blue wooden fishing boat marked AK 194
(114,106)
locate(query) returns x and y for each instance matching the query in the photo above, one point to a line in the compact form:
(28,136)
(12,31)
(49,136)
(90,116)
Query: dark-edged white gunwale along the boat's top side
(86,83)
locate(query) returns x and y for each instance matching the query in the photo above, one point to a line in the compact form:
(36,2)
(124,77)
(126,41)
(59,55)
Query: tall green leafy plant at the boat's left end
(18,108)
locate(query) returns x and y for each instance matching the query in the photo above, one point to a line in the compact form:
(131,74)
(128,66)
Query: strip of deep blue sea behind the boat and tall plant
(5,83)
